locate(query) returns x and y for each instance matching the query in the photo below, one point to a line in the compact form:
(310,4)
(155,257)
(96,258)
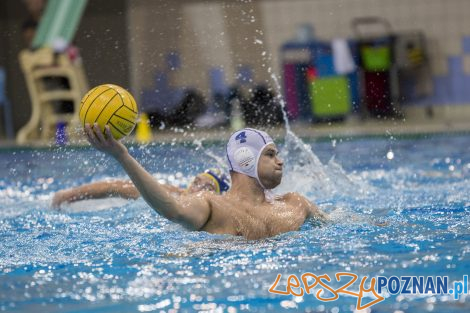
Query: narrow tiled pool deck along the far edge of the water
(417,121)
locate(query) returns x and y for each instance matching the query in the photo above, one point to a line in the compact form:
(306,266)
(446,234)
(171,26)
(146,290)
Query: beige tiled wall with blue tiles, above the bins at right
(444,24)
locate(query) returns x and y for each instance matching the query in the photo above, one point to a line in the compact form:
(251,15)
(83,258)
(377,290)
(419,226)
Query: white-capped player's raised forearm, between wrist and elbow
(154,193)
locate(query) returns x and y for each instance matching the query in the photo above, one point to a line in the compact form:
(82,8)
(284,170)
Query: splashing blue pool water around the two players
(118,256)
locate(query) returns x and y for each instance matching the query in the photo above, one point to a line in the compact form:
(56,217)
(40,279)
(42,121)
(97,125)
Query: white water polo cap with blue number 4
(244,149)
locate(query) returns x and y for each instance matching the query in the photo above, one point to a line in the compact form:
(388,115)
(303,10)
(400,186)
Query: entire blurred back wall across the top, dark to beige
(128,42)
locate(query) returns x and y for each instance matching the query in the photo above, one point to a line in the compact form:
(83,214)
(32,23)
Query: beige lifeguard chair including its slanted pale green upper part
(57,27)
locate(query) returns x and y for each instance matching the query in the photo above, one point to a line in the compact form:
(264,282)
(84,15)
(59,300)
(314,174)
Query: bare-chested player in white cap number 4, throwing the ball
(244,210)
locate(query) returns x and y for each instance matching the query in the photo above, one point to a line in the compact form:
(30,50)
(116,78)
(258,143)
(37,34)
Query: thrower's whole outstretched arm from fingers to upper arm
(192,212)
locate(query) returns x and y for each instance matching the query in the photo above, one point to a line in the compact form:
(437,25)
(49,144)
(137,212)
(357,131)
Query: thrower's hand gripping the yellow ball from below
(104,142)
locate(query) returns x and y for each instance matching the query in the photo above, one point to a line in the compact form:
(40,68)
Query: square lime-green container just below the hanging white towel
(330,97)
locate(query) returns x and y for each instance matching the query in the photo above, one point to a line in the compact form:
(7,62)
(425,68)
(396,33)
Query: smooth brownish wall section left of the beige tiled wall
(204,34)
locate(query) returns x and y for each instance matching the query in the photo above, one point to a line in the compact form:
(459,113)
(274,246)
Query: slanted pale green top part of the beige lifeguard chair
(59,22)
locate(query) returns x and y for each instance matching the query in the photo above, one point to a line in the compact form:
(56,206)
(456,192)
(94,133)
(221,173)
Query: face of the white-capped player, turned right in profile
(270,167)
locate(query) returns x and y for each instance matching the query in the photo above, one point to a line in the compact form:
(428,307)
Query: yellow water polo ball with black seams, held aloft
(111,105)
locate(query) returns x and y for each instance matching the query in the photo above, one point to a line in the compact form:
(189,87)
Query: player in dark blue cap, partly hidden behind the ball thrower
(212,180)
